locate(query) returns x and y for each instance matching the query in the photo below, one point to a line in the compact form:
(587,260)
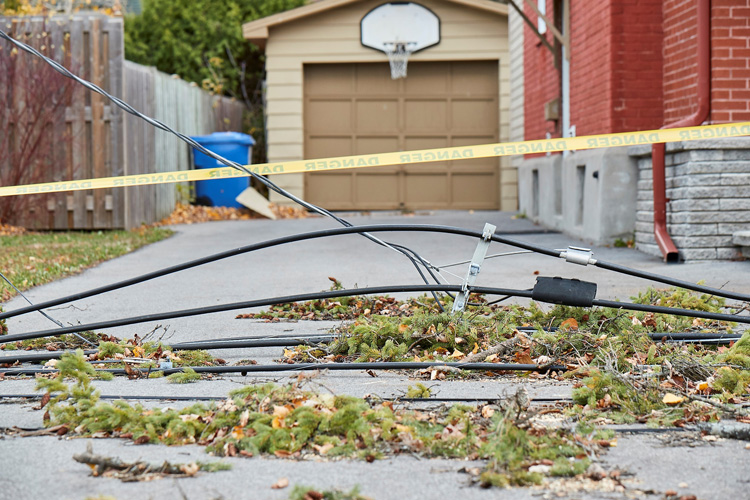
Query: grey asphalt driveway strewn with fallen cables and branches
(42,466)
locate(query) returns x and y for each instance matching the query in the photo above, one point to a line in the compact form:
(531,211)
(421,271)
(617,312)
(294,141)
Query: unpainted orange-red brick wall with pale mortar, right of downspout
(730,60)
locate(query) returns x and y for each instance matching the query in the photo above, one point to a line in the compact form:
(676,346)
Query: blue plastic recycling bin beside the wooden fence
(232,146)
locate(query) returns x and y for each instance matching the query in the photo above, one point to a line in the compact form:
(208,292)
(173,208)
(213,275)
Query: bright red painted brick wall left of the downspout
(616,61)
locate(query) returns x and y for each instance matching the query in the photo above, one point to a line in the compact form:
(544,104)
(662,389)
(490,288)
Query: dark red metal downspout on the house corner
(666,245)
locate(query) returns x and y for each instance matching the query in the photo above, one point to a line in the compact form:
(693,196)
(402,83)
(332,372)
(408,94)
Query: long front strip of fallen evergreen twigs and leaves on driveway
(286,421)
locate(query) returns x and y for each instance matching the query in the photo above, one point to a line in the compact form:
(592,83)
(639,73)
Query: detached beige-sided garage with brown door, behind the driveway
(328,94)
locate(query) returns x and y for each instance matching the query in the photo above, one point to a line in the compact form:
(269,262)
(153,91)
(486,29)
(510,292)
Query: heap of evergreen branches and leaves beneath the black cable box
(623,375)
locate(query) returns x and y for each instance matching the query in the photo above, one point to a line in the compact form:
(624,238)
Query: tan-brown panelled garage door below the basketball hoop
(358,109)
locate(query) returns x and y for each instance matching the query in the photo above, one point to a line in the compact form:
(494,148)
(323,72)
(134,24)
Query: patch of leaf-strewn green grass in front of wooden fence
(33,259)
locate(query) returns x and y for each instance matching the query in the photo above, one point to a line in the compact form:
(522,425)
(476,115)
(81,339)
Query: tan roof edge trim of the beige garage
(257,31)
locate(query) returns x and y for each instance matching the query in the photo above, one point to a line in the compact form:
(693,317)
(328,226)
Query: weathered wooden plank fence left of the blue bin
(94,138)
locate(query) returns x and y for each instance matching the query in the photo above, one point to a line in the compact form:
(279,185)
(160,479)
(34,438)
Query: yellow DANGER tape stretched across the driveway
(400,158)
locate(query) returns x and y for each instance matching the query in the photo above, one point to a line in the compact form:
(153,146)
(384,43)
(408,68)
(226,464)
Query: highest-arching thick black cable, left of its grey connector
(268,244)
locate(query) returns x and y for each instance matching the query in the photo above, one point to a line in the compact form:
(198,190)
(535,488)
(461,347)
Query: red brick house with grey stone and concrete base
(633,65)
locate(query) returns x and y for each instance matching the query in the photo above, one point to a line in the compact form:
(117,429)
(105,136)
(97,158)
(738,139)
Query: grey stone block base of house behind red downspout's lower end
(708,193)
